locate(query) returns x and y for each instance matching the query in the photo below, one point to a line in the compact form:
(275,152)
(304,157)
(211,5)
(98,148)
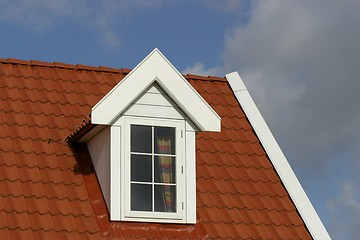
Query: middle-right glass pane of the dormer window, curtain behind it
(164,169)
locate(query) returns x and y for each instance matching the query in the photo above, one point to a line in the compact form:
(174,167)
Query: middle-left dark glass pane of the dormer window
(141,168)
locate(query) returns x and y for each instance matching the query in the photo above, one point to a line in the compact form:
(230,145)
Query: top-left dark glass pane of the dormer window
(141,138)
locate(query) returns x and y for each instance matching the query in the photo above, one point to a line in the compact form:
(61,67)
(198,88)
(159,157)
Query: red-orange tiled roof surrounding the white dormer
(47,194)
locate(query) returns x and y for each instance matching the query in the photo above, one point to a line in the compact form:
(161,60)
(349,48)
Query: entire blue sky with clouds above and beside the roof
(299,59)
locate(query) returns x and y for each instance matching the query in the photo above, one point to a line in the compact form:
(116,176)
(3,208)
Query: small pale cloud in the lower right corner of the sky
(344,211)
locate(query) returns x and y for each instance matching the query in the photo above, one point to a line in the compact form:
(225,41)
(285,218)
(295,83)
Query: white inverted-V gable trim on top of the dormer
(156,68)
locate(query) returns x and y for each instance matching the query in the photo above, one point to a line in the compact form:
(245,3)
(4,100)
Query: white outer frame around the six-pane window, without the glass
(127,214)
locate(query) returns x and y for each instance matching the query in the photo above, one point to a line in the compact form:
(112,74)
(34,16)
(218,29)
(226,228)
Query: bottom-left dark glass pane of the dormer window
(141,197)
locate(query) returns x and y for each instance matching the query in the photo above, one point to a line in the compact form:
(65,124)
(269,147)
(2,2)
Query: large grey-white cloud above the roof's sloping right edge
(300,60)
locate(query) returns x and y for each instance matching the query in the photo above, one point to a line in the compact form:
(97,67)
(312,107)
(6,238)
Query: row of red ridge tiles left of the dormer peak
(63,65)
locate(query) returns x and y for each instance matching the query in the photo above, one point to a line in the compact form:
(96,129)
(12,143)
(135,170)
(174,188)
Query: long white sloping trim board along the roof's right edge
(278,159)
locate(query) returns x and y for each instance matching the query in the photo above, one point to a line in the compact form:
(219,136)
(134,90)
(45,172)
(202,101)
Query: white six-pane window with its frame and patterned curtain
(154,171)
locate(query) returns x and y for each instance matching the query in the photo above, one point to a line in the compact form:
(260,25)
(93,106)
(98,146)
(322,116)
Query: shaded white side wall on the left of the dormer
(99,148)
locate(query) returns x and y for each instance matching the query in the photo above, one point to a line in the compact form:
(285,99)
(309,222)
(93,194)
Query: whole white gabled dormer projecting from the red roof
(144,155)
